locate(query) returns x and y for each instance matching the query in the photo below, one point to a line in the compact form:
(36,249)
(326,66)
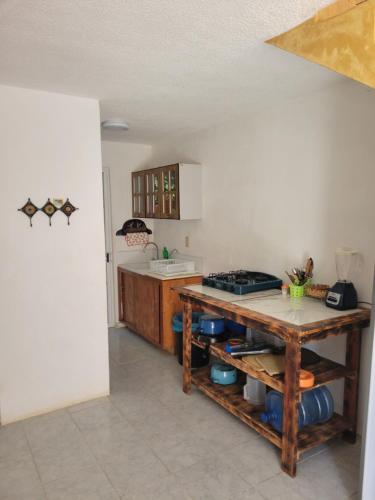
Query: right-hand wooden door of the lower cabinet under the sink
(148,308)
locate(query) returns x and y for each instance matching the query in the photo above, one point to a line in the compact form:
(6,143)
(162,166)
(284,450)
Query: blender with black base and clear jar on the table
(343,295)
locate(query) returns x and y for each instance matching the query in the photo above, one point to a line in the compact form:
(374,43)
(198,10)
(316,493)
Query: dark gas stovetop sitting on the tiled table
(241,282)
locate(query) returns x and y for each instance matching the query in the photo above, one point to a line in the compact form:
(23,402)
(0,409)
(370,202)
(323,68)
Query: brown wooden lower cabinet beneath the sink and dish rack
(147,305)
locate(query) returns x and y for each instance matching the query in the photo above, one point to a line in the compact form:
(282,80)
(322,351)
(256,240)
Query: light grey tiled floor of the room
(150,441)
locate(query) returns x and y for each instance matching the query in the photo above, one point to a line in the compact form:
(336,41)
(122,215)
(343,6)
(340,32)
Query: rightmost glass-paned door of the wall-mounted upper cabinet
(170,192)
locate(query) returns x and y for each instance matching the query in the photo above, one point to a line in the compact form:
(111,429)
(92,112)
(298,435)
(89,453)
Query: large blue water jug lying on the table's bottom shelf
(316,407)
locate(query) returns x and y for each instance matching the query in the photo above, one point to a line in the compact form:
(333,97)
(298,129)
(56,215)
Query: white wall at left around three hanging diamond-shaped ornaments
(53,345)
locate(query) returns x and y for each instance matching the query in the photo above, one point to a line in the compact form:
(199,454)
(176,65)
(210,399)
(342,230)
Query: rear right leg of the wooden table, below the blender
(353,353)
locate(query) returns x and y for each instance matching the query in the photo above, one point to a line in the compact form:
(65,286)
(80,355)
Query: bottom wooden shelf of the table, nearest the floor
(231,398)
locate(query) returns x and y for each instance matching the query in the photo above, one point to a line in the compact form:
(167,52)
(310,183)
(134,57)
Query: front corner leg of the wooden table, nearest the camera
(289,449)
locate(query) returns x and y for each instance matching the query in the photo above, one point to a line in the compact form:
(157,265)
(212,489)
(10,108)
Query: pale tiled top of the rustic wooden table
(296,311)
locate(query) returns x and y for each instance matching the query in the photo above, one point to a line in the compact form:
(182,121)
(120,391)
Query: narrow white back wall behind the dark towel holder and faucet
(121,159)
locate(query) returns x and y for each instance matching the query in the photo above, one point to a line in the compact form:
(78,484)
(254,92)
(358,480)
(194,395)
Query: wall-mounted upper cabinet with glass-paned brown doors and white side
(169,192)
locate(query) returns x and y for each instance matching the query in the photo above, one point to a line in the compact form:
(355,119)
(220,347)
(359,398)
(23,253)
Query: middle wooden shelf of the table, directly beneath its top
(325,371)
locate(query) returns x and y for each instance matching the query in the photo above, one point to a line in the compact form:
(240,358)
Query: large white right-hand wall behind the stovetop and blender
(290,182)
